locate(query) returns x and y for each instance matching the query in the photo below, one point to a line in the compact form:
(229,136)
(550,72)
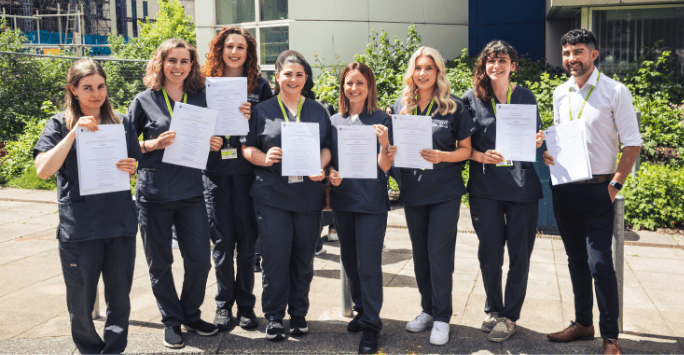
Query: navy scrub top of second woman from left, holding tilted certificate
(157,181)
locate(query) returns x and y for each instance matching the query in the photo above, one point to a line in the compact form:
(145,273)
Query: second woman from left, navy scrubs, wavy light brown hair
(170,194)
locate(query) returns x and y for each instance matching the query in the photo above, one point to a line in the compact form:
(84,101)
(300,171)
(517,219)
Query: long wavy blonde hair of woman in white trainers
(442,92)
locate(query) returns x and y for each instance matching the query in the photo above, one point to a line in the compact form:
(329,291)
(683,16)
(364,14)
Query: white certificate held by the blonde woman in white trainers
(411,135)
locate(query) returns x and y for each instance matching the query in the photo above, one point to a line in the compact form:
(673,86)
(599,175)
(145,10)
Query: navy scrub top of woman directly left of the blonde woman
(360,195)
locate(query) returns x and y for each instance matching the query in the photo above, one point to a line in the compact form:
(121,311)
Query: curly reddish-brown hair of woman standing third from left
(214,64)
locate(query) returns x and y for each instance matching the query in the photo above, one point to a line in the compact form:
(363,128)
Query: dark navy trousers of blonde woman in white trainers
(432,229)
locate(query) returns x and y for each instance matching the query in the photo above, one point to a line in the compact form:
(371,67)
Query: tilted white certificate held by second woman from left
(194,127)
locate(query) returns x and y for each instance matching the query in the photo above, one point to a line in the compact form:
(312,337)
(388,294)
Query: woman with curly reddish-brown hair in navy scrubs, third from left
(227,181)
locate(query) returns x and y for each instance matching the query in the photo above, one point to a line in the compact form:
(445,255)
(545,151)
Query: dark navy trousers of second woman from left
(192,229)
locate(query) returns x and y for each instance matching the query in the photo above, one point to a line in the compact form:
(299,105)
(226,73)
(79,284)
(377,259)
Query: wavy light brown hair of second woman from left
(154,73)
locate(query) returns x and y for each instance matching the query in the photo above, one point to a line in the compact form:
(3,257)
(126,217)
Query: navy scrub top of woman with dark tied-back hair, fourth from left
(270,188)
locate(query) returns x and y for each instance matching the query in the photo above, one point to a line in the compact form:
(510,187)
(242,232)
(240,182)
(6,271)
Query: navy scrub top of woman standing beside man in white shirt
(518,183)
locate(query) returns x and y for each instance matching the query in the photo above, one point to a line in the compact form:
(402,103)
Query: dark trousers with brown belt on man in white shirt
(585,215)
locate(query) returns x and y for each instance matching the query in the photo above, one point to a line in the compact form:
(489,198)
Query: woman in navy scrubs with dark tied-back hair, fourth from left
(288,208)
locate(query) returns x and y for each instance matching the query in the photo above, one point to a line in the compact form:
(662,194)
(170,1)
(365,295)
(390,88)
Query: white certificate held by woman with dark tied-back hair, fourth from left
(301,144)
